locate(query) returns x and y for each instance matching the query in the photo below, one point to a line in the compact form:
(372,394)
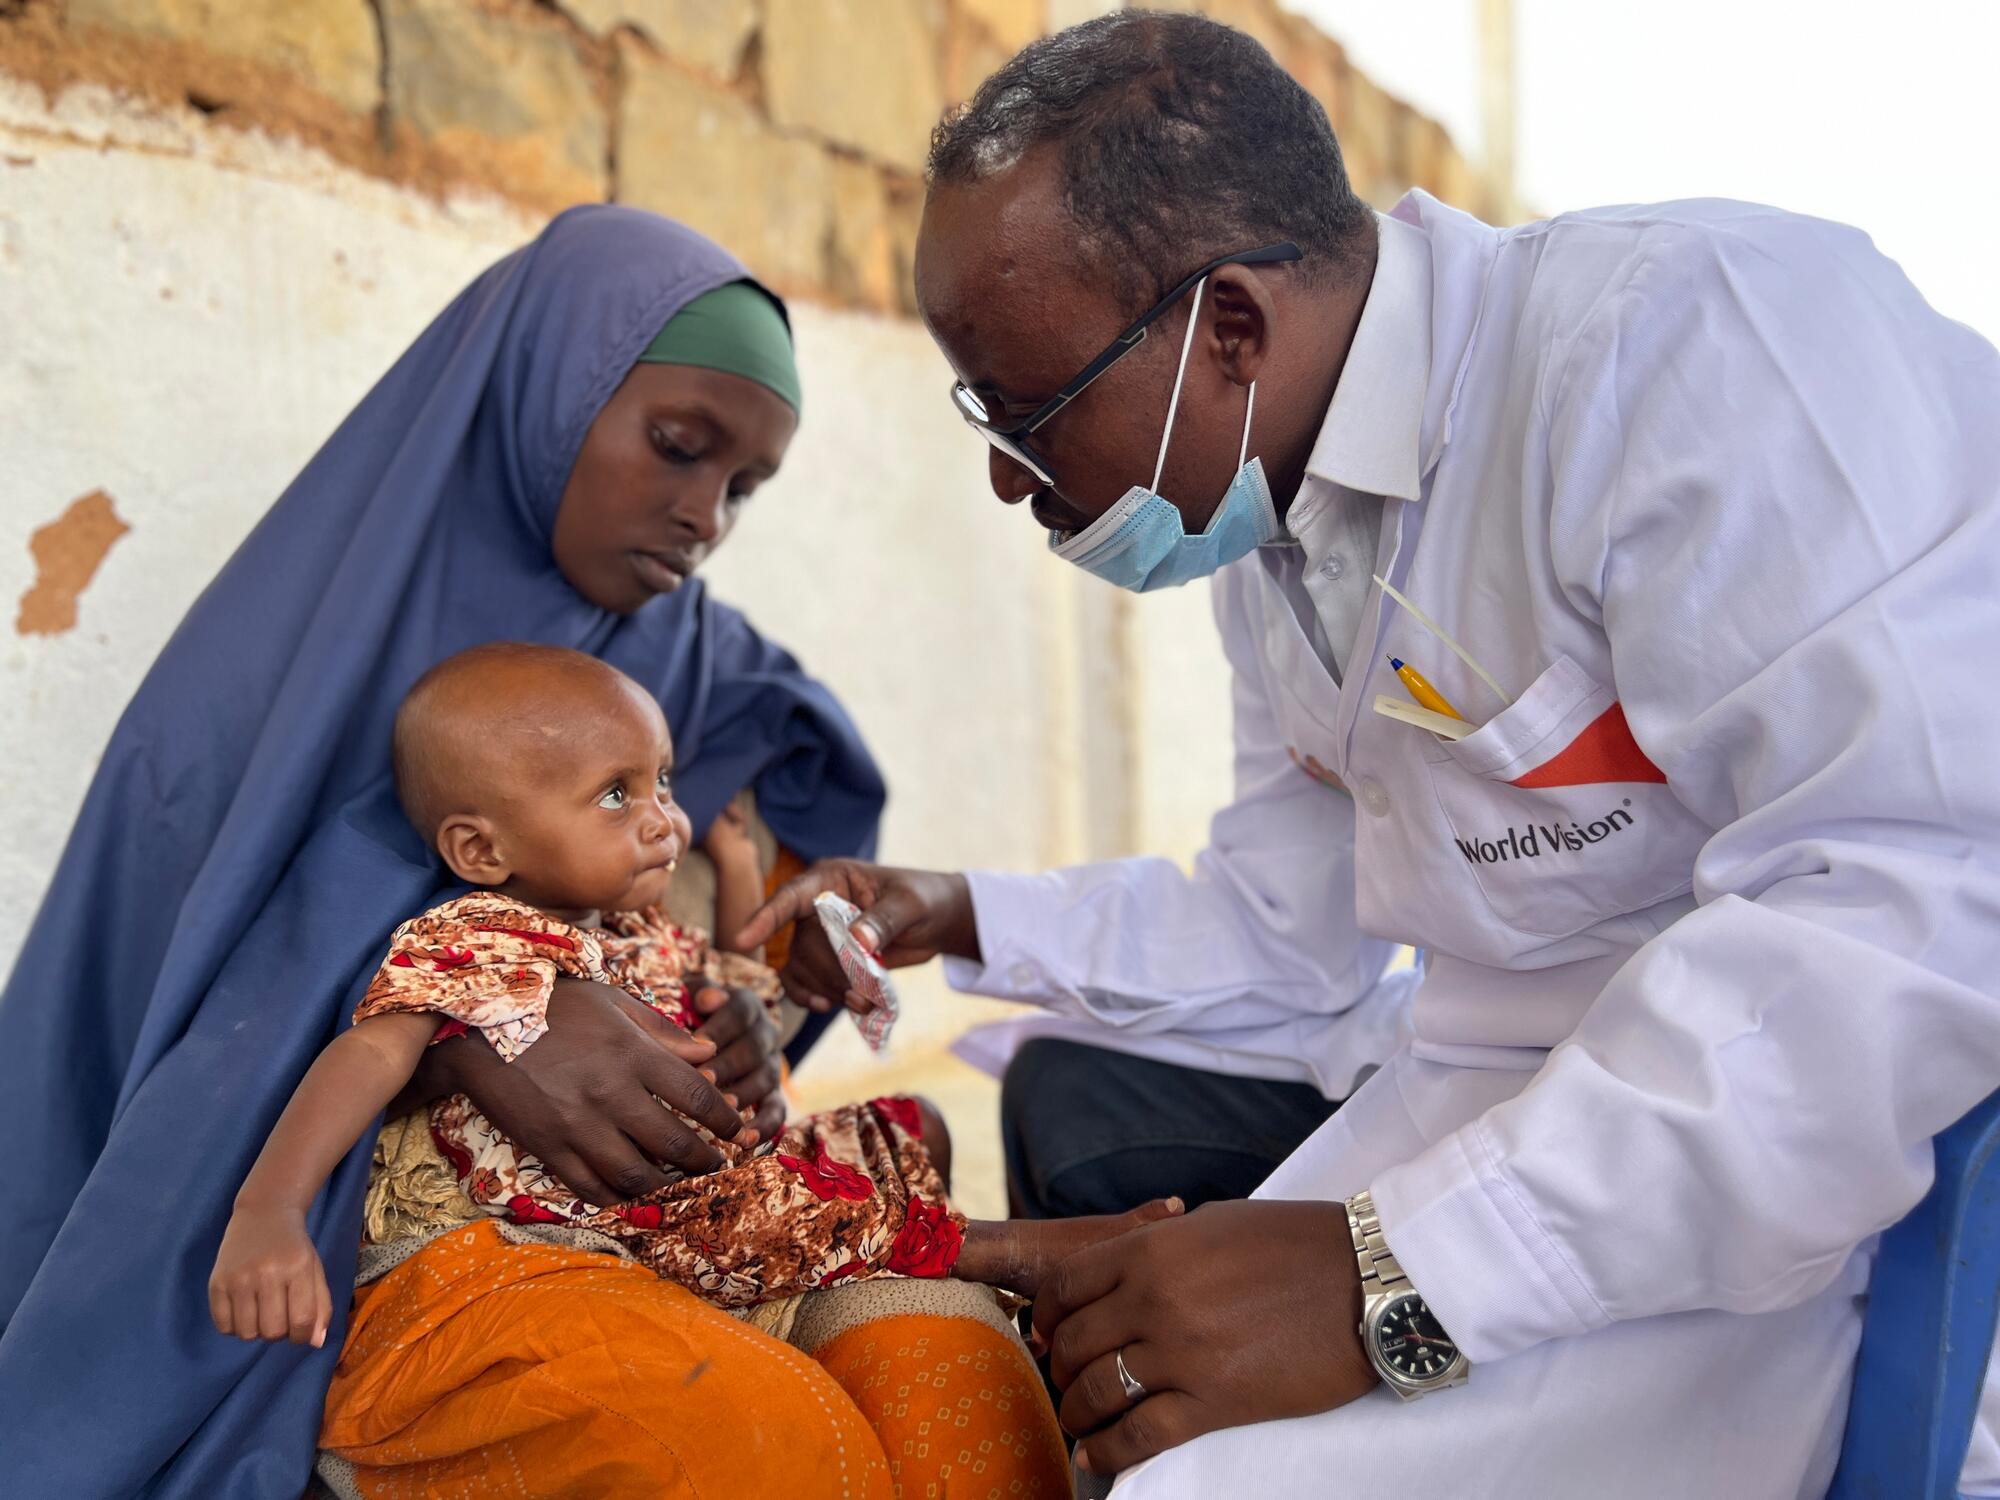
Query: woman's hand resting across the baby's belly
(587,1095)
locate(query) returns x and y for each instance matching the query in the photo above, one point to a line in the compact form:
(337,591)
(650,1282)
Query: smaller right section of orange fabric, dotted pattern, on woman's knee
(957,1407)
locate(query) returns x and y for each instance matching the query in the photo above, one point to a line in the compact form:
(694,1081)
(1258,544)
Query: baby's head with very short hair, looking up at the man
(531,763)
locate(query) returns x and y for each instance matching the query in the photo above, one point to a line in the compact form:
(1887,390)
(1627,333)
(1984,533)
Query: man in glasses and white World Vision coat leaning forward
(1689,519)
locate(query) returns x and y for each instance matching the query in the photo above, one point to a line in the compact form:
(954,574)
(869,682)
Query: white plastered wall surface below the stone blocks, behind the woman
(187,313)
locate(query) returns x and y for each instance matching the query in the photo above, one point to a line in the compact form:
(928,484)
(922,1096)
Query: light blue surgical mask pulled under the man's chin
(1141,545)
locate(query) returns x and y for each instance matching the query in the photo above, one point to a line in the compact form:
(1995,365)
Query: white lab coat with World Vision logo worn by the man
(1711,905)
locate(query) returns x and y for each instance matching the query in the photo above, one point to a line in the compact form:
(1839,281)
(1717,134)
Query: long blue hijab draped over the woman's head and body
(239,861)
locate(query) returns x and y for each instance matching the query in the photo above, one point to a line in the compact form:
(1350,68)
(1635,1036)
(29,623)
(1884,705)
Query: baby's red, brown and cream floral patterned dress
(845,1195)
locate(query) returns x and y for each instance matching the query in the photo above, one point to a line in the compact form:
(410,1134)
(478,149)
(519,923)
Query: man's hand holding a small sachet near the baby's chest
(909,917)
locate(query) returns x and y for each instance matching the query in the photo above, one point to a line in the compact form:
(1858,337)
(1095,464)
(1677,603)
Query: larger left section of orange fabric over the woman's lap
(495,1369)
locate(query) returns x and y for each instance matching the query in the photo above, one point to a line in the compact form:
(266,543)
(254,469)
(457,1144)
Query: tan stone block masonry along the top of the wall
(791,131)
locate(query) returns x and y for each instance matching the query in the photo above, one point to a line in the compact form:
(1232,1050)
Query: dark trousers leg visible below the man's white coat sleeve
(1099,1133)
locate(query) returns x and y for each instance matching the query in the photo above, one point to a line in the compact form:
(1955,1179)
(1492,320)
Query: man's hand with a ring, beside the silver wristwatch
(1239,1313)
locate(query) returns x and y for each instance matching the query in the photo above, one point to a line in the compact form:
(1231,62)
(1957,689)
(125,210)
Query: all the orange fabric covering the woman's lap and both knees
(493,1369)
